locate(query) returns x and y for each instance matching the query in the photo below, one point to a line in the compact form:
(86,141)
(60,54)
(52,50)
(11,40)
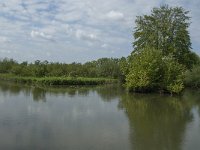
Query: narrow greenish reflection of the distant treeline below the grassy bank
(107,93)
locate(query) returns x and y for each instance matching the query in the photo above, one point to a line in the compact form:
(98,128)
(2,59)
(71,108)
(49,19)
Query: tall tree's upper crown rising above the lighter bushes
(166,29)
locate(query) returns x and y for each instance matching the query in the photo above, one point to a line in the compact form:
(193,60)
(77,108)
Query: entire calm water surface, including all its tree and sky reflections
(96,118)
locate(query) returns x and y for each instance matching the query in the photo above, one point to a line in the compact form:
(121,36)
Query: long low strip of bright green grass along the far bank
(57,80)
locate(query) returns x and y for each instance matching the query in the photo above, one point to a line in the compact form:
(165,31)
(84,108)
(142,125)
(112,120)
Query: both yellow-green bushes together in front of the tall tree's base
(149,71)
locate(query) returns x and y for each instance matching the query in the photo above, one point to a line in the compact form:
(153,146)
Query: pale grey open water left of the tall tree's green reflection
(70,118)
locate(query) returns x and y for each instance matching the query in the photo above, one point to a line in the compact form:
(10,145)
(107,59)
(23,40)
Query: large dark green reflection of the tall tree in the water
(156,122)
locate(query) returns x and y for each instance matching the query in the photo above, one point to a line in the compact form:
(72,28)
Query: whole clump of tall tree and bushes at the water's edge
(161,53)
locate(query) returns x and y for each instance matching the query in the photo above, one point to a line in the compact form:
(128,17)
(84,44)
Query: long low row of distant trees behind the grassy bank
(104,68)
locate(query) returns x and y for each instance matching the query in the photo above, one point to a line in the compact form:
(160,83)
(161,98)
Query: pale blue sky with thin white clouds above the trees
(78,30)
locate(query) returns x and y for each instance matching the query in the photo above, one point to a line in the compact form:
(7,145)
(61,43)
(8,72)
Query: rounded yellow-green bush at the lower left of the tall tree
(145,70)
